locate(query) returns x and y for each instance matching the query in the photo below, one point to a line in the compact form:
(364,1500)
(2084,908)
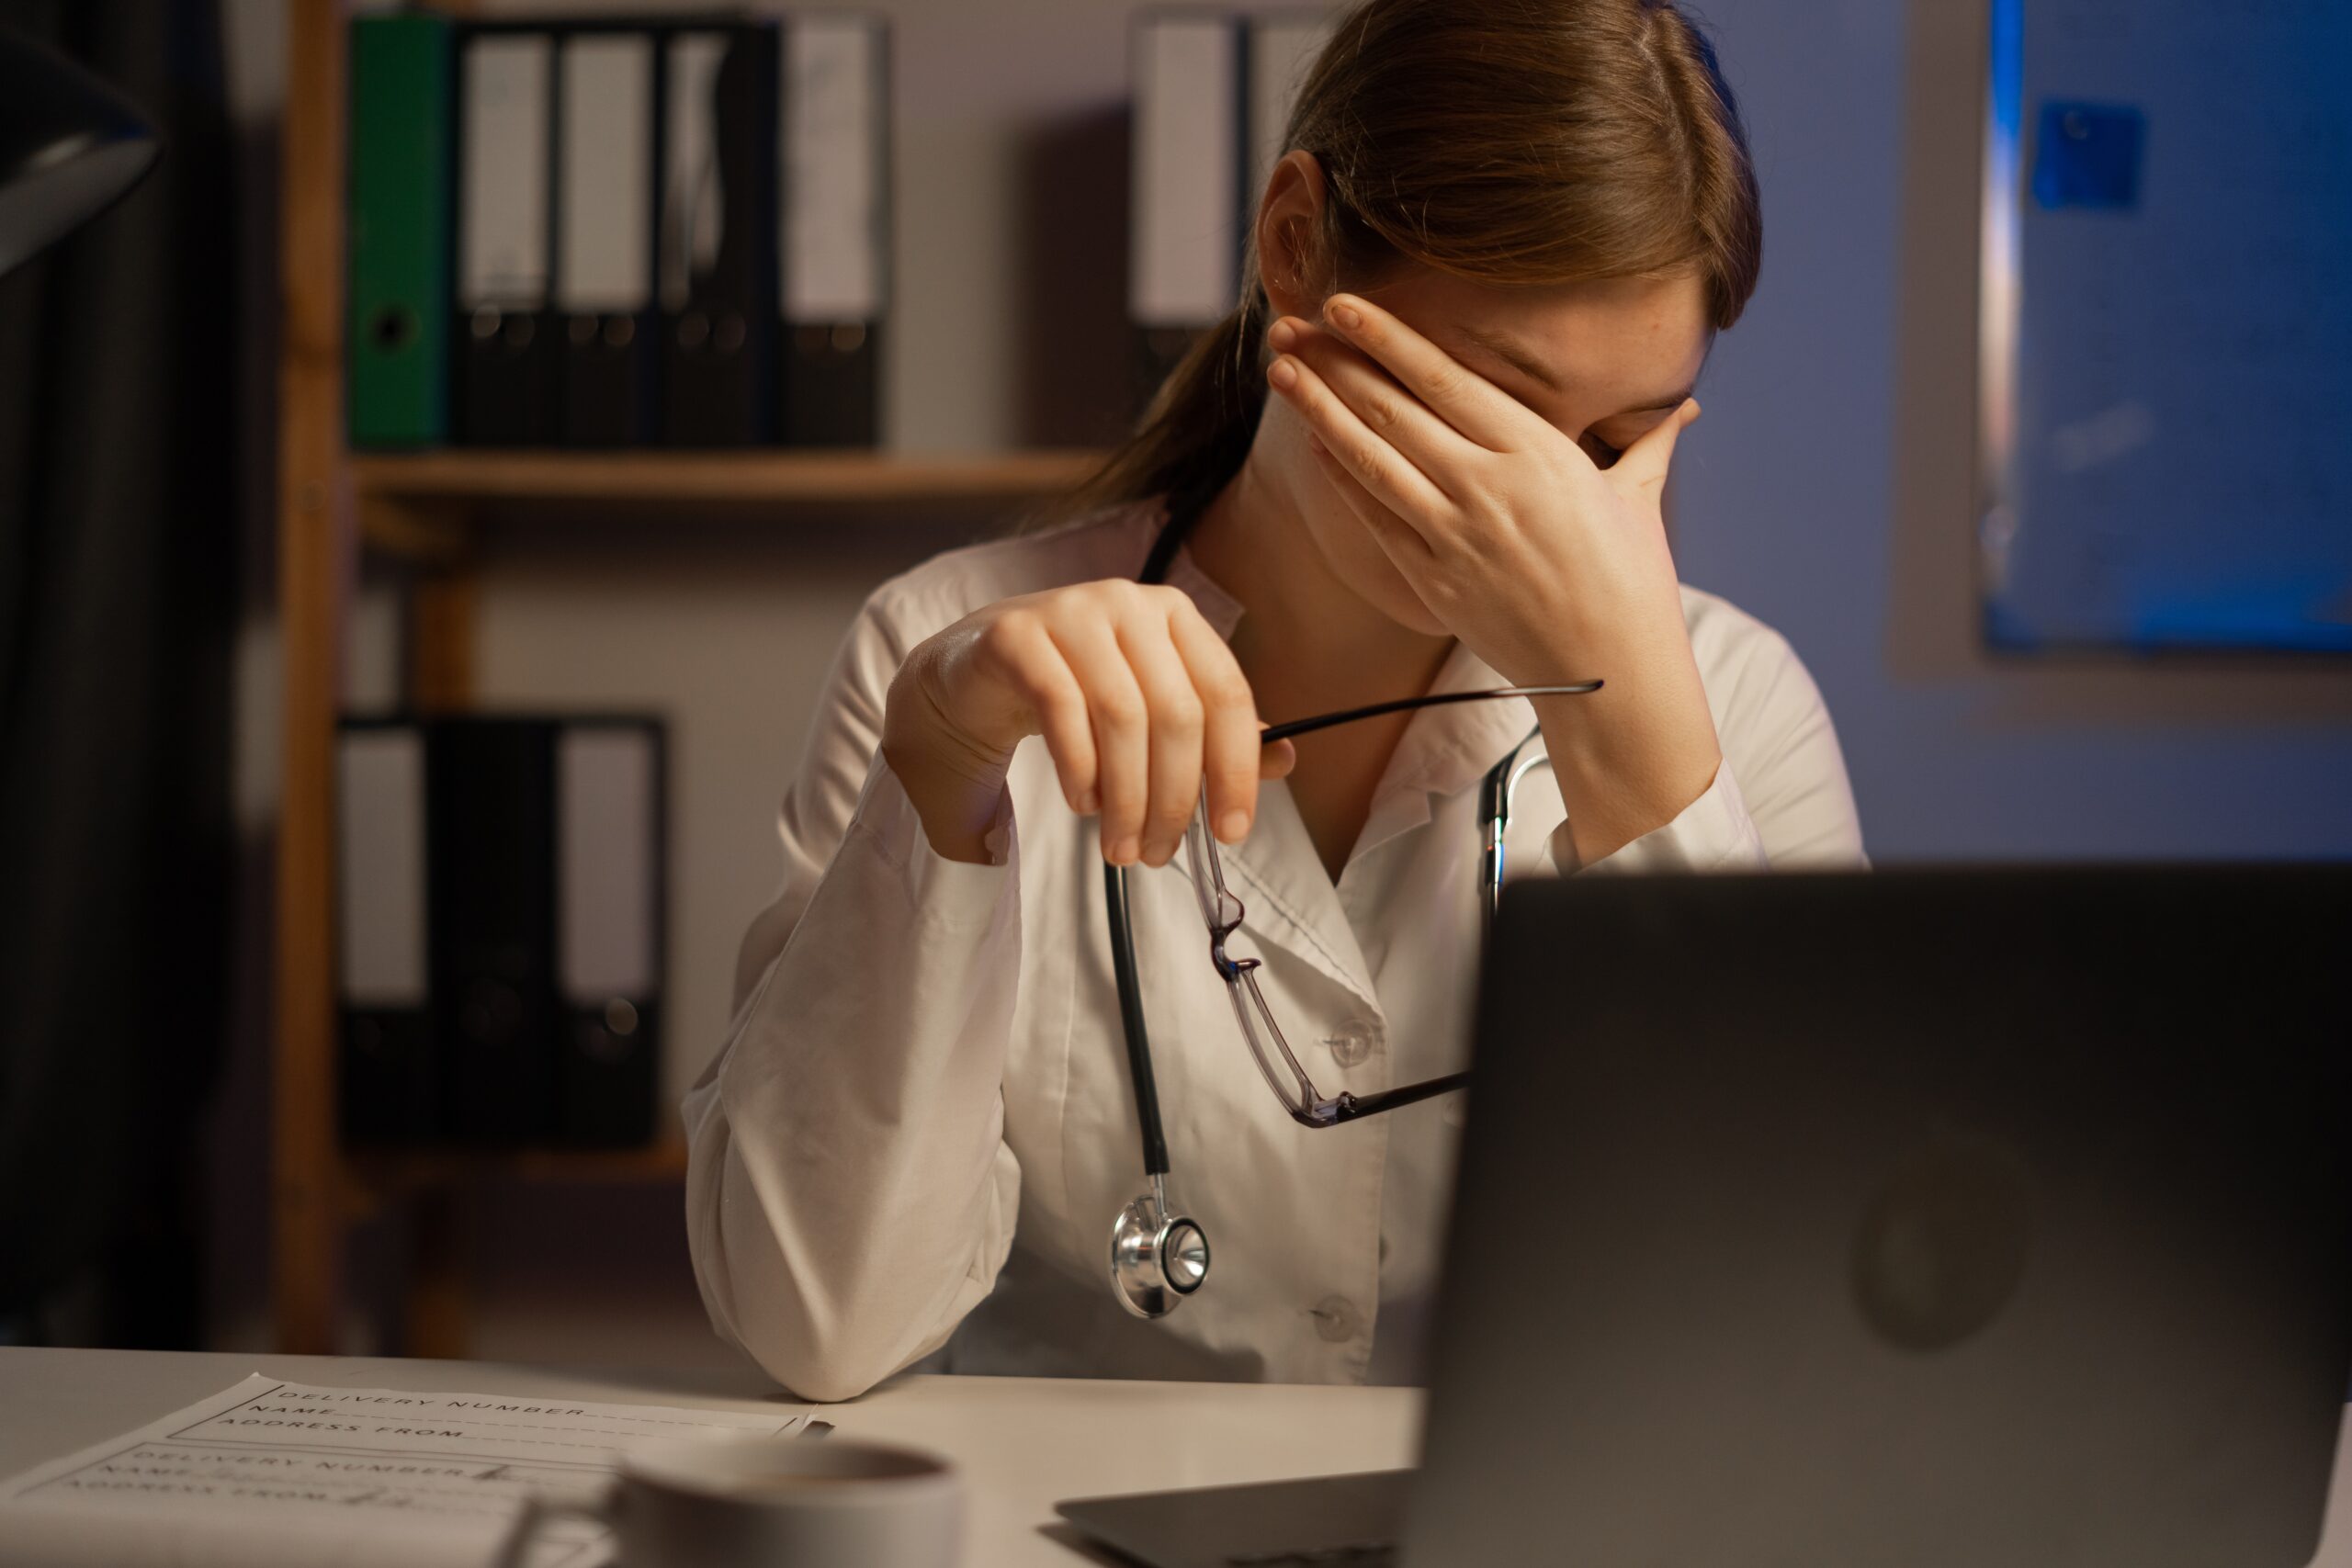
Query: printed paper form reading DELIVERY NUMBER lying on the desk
(283,1473)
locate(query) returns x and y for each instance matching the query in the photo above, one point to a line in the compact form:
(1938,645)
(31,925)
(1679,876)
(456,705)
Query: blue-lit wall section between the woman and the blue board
(1831,490)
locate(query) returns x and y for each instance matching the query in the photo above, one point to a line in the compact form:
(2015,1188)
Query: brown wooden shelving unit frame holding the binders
(432,514)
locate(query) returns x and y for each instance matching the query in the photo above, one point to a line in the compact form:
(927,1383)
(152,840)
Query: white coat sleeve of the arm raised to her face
(1779,796)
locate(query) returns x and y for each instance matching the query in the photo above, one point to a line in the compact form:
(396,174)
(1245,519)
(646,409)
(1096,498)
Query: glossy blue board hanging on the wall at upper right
(2167,326)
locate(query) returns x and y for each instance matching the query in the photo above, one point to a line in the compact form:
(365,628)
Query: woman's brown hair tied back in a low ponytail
(1506,142)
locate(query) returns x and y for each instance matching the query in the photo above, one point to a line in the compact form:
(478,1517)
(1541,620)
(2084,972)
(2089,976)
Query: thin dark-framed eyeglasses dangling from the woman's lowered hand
(1224,916)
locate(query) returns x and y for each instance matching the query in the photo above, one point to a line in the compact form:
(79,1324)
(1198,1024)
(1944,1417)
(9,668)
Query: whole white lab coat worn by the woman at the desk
(923,1127)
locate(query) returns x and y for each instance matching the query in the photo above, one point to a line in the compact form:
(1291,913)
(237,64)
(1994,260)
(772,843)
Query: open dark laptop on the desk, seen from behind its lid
(1932,1219)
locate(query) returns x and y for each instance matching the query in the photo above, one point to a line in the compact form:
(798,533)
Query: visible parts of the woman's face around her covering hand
(1593,361)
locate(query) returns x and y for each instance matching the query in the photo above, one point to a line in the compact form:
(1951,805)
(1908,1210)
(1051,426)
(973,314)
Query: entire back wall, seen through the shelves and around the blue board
(1826,490)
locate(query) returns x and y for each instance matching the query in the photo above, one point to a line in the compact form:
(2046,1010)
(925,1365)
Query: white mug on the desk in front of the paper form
(742,1503)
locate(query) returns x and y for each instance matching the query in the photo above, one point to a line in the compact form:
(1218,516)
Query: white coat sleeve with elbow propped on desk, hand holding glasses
(850,1195)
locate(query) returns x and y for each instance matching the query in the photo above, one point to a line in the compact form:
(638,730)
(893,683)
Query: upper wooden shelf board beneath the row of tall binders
(735,478)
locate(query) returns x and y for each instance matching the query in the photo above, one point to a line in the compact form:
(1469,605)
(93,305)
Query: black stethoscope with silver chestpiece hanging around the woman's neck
(1161,1254)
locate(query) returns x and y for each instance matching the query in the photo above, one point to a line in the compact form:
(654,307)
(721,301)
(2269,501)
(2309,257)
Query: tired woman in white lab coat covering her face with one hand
(1422,455)
